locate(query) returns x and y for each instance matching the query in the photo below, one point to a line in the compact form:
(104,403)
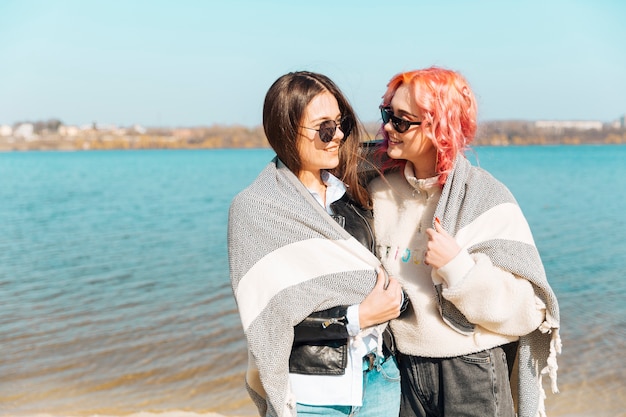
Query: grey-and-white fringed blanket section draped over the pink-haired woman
(468,194)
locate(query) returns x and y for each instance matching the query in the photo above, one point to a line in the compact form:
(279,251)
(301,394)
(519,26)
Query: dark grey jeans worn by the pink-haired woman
(475,385)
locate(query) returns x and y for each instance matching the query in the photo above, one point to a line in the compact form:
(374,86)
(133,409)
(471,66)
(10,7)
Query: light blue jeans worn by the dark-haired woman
(381,396)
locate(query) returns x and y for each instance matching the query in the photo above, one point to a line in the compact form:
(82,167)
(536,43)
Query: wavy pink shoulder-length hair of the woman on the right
(449,109)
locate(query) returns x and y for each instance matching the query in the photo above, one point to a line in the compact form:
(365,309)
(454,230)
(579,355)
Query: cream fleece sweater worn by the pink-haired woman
(502,306)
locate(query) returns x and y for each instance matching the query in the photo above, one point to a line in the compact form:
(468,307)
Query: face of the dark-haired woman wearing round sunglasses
(316,155)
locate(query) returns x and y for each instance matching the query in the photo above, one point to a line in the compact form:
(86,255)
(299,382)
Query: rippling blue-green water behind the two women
(114,289)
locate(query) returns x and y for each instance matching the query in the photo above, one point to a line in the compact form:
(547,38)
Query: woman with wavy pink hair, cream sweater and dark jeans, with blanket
(482,325)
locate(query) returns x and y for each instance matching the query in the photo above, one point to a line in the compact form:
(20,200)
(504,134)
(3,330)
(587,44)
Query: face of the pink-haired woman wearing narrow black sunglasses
(411,145)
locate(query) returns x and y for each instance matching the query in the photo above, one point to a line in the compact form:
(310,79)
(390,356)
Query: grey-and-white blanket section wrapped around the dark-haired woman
(288,258)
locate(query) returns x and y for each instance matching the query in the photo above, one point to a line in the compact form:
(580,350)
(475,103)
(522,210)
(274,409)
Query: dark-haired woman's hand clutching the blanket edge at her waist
(383,303)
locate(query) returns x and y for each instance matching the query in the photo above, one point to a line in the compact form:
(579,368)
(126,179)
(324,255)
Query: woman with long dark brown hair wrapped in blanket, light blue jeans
(313,299)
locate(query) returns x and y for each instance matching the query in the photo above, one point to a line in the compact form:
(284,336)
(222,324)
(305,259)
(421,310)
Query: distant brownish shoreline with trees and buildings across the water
(52,135)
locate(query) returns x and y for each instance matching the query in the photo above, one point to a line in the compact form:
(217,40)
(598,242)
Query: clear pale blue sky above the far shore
(205,62)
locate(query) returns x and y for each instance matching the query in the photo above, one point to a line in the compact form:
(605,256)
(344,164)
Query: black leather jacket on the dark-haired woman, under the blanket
(320,344)
